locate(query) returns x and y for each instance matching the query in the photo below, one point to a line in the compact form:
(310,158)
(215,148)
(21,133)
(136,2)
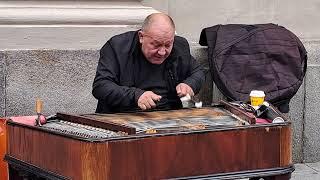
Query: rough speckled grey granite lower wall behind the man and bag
(63,79)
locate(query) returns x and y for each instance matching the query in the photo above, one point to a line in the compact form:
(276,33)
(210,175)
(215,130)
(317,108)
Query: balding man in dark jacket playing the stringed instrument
(146,69)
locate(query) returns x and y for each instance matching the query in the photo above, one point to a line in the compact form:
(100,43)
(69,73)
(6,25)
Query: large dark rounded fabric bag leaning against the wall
(264,57)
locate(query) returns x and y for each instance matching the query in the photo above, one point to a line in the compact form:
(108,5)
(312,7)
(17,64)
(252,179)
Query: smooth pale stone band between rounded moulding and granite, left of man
(66,38)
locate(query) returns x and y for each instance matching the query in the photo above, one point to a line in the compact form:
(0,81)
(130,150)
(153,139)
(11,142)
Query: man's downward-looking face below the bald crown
(156,45)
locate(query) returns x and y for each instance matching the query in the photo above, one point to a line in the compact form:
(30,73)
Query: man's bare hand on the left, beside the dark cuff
(147,100)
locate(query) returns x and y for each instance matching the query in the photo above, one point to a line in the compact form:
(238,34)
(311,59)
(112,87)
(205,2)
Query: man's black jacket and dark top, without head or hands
(124,74)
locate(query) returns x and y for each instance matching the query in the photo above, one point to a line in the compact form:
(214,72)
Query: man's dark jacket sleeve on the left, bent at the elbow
(106,83)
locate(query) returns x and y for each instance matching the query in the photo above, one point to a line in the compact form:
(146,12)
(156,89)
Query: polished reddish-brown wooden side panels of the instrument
(155,156)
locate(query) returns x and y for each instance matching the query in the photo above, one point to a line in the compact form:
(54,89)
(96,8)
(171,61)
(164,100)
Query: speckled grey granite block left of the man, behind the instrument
(62,79)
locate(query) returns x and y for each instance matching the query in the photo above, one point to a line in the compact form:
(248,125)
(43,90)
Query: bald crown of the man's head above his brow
(157,20)
